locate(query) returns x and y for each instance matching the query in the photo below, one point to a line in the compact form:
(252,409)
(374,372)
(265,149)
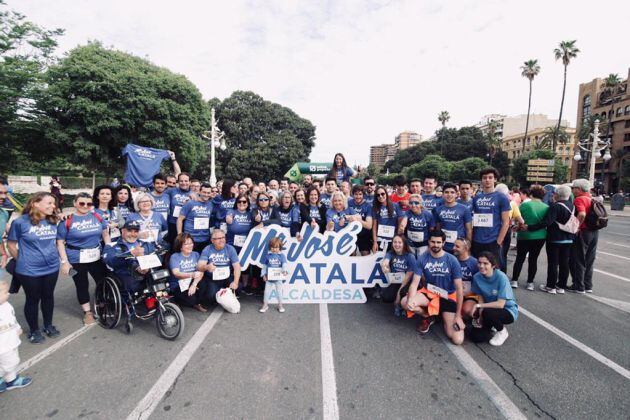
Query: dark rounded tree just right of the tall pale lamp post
(264,139)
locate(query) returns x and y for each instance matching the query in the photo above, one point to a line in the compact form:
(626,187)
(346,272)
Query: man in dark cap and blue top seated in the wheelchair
(120,257)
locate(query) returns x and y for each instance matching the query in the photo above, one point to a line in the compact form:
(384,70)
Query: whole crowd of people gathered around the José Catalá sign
(445,250)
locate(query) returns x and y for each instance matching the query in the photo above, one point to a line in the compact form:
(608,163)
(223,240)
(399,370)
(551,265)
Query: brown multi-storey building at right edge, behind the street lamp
(614,108)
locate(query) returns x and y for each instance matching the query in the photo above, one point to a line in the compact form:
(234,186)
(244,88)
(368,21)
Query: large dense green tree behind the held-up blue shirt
(98,100)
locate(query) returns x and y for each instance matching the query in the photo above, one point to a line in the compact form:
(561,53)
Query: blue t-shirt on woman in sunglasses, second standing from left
(85,233)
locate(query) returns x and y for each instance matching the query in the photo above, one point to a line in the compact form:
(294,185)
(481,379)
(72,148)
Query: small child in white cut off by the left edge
(10,332)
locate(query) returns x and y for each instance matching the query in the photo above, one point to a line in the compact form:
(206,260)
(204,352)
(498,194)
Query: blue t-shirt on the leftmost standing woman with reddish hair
(37,253)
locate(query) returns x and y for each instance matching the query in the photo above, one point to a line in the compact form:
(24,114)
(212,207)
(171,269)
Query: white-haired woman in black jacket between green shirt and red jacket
(558,241)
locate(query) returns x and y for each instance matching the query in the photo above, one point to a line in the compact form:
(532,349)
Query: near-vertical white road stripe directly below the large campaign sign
(329,383)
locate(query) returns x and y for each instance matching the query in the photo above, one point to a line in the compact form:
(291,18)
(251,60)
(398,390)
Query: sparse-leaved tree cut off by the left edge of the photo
(26,49)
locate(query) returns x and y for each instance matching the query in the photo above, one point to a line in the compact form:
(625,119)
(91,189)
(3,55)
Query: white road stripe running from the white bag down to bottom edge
(145,407)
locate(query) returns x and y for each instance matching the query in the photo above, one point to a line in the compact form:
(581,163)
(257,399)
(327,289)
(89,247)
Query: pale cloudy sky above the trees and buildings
(361,70)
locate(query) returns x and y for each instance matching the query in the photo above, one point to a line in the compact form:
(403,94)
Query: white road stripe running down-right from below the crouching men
(487,385)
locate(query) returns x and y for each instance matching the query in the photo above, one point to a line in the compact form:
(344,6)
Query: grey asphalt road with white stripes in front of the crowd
(568,356)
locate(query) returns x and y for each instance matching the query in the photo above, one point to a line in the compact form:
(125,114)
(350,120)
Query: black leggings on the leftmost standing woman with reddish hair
(39,289)
